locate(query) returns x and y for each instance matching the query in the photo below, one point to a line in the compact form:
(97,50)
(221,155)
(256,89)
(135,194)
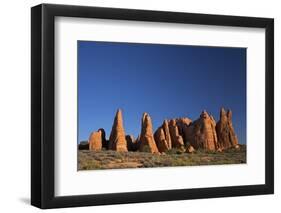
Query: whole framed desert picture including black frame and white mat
(139,106)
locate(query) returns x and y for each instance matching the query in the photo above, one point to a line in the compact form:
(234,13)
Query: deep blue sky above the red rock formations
(167,81)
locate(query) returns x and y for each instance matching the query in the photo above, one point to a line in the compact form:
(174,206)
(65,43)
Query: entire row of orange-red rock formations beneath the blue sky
(180,133)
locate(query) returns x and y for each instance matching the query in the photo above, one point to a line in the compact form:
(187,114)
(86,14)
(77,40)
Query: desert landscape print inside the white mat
(159,105)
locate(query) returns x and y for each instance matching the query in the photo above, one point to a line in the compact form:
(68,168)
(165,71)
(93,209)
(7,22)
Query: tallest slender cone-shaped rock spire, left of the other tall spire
(117,140)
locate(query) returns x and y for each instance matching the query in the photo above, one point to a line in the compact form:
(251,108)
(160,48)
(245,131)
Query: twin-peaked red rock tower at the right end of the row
(225,131)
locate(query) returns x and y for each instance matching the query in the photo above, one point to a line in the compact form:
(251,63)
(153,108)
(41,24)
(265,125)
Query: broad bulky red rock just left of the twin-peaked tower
(202,133)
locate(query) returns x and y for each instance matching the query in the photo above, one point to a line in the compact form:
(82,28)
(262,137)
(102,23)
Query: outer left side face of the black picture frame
(36,85)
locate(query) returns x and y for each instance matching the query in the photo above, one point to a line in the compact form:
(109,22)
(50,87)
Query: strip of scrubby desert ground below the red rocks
(108,159)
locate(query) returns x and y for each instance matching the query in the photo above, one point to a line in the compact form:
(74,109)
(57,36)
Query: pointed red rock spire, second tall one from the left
(147,142)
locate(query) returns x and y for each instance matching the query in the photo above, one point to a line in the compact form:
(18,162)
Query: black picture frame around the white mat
(43,110)
